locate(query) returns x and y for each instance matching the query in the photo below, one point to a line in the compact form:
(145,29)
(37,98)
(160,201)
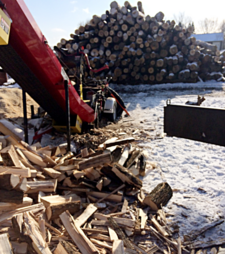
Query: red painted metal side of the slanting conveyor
(30,44)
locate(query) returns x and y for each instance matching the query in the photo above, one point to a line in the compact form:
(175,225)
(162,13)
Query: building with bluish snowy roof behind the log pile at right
(213,38)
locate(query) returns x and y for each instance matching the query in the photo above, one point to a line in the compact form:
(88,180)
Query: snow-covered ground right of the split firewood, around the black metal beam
(194,170)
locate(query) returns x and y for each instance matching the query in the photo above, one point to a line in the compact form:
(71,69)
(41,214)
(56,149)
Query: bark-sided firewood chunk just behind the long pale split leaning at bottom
(55,210)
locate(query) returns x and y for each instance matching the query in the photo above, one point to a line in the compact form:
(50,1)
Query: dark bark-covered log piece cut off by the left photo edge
(11,196)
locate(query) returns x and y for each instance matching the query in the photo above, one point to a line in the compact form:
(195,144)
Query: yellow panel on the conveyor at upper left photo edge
(5,24)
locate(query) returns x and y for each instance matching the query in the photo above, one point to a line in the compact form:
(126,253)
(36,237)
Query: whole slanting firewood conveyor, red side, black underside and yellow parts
(26,56)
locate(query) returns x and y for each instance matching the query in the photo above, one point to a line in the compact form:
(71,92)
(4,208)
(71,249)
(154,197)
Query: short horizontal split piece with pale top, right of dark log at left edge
(45,186)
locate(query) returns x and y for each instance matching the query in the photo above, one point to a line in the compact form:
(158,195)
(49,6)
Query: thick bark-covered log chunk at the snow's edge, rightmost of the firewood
(159,196)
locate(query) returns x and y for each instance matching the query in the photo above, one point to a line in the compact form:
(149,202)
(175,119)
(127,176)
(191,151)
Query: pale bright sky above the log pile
(59,18)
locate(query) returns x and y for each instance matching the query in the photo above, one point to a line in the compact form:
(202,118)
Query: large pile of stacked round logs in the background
(140,49)
